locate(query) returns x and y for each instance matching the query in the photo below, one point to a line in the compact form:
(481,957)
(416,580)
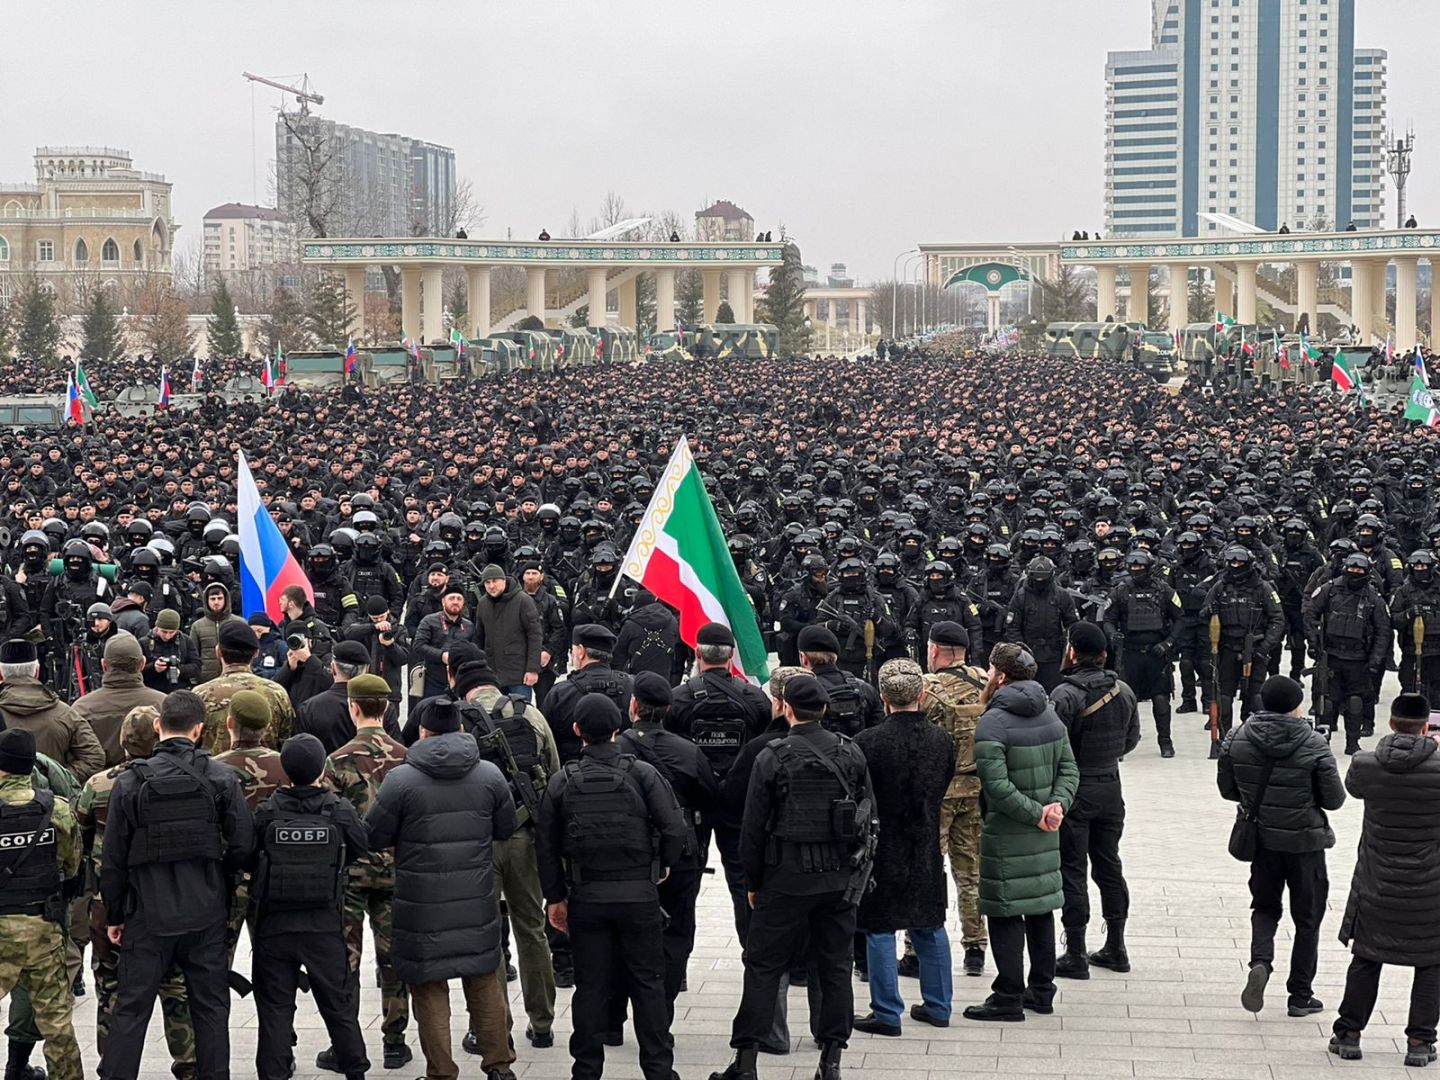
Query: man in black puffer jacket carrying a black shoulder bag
(1282,773)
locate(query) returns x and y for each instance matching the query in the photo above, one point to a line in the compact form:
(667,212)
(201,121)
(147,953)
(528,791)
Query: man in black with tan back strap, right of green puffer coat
(1101,715)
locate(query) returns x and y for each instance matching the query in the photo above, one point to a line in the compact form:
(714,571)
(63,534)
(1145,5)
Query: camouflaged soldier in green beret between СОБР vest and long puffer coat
(356,773)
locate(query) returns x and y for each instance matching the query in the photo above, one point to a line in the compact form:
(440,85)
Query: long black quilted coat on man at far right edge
(1398,870)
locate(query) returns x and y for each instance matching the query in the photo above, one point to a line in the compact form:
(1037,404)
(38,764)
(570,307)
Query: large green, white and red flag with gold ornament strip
(680,555)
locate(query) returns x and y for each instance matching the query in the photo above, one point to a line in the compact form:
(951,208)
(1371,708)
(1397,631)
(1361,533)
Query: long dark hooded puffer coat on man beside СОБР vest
(441,811)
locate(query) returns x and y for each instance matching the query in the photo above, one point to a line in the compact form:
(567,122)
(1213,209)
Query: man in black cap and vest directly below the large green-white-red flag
(719,714)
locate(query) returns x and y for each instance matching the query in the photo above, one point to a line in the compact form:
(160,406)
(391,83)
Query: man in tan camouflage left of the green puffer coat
(953,701)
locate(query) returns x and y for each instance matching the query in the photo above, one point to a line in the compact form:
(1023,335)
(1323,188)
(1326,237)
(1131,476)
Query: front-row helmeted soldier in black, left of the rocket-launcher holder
(1143,623)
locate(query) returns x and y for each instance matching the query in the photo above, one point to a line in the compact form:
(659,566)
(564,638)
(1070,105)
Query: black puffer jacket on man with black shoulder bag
(1304,784)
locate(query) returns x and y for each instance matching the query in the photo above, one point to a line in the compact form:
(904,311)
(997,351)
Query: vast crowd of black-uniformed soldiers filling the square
(1210,529)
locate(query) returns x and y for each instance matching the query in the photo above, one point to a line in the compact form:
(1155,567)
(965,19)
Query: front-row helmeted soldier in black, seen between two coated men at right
(1349,618)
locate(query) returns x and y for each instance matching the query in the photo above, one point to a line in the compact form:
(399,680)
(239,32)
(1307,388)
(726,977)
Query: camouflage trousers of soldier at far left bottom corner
(32,955)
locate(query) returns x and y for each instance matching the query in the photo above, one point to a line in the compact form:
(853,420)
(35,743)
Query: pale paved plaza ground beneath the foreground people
(1177,1014)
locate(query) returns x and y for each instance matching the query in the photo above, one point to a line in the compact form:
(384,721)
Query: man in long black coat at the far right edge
(1400,786)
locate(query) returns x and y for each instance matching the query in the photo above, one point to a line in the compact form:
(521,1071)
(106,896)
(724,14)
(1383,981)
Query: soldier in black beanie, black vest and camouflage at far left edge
(41,852)
